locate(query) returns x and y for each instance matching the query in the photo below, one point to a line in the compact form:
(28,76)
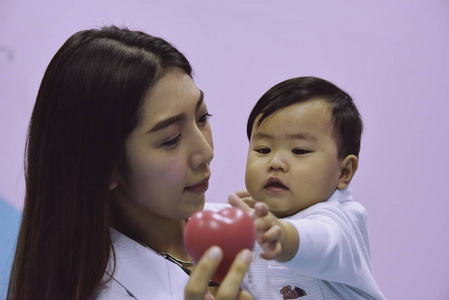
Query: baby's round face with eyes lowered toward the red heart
(292,158)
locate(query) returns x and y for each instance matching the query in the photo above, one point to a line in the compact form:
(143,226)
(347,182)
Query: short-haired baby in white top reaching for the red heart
(313,240)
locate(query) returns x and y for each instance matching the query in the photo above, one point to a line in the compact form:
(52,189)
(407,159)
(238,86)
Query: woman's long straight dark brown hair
(87,104)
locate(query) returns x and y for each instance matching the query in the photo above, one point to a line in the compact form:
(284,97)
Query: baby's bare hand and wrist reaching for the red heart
(278,239)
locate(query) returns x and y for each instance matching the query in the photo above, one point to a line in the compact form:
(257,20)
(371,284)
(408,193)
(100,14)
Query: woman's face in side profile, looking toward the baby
(170,150)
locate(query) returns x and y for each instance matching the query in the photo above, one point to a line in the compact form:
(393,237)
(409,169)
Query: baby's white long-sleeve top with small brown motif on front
(333,260)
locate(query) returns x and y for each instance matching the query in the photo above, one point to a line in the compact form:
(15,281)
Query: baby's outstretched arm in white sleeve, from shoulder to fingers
(334,244)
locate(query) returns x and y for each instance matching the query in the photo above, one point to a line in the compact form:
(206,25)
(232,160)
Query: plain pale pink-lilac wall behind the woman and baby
(392,56)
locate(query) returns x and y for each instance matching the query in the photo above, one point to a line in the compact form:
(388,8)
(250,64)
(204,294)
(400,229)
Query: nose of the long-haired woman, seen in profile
(203,150)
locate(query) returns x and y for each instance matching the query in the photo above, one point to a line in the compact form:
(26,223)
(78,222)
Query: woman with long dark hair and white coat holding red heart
(117,159)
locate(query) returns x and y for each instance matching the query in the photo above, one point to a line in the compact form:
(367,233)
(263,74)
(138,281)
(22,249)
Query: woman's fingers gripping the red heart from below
(229,289)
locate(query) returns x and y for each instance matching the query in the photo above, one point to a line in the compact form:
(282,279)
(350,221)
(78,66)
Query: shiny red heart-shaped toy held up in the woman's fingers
(231,229)
